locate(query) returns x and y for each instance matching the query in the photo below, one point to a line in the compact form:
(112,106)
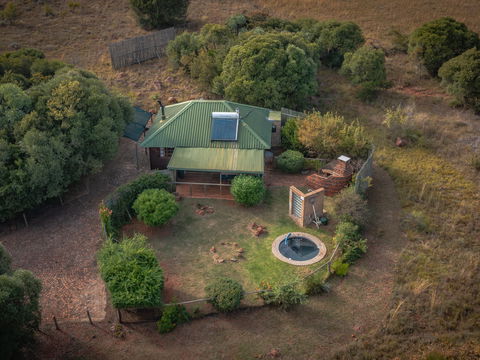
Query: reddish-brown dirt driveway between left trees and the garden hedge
(60,243)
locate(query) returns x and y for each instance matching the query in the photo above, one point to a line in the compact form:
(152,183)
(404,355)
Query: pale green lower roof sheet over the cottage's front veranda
(218,160)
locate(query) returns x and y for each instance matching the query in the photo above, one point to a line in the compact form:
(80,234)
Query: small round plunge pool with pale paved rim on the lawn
(299,248)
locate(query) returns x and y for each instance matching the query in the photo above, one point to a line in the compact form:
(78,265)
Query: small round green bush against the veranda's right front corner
(248,190)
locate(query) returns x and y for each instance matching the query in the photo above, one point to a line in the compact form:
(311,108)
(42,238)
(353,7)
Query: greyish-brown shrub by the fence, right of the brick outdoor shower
(349,206)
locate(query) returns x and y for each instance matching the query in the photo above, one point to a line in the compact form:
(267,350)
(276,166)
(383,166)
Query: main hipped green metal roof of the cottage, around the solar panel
(189,124)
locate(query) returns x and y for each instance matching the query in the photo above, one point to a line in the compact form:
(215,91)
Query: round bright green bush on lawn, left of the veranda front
(155,206)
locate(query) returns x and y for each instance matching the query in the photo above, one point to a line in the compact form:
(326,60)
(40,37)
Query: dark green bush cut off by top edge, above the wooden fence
(157,14)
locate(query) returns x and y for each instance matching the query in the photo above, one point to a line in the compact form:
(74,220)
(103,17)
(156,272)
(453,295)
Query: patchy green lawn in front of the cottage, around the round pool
(183,246)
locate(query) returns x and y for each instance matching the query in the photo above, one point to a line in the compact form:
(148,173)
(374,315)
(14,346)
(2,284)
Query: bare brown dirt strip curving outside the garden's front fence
(355,306)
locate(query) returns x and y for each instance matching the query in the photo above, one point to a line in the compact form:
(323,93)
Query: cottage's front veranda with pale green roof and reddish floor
(208,172)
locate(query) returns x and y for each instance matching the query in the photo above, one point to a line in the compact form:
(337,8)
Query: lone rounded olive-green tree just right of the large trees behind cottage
(366,67)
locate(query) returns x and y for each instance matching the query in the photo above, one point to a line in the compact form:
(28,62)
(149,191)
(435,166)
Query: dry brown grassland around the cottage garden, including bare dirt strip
(429,301)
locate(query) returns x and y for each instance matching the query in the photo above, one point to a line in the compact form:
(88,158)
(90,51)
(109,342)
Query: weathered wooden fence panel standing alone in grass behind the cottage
(141,48)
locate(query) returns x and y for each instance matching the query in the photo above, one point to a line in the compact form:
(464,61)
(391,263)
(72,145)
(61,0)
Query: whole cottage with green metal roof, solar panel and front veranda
(210,141)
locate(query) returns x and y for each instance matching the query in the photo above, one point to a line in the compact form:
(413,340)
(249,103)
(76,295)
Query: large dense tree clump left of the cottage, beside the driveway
(63,126)
